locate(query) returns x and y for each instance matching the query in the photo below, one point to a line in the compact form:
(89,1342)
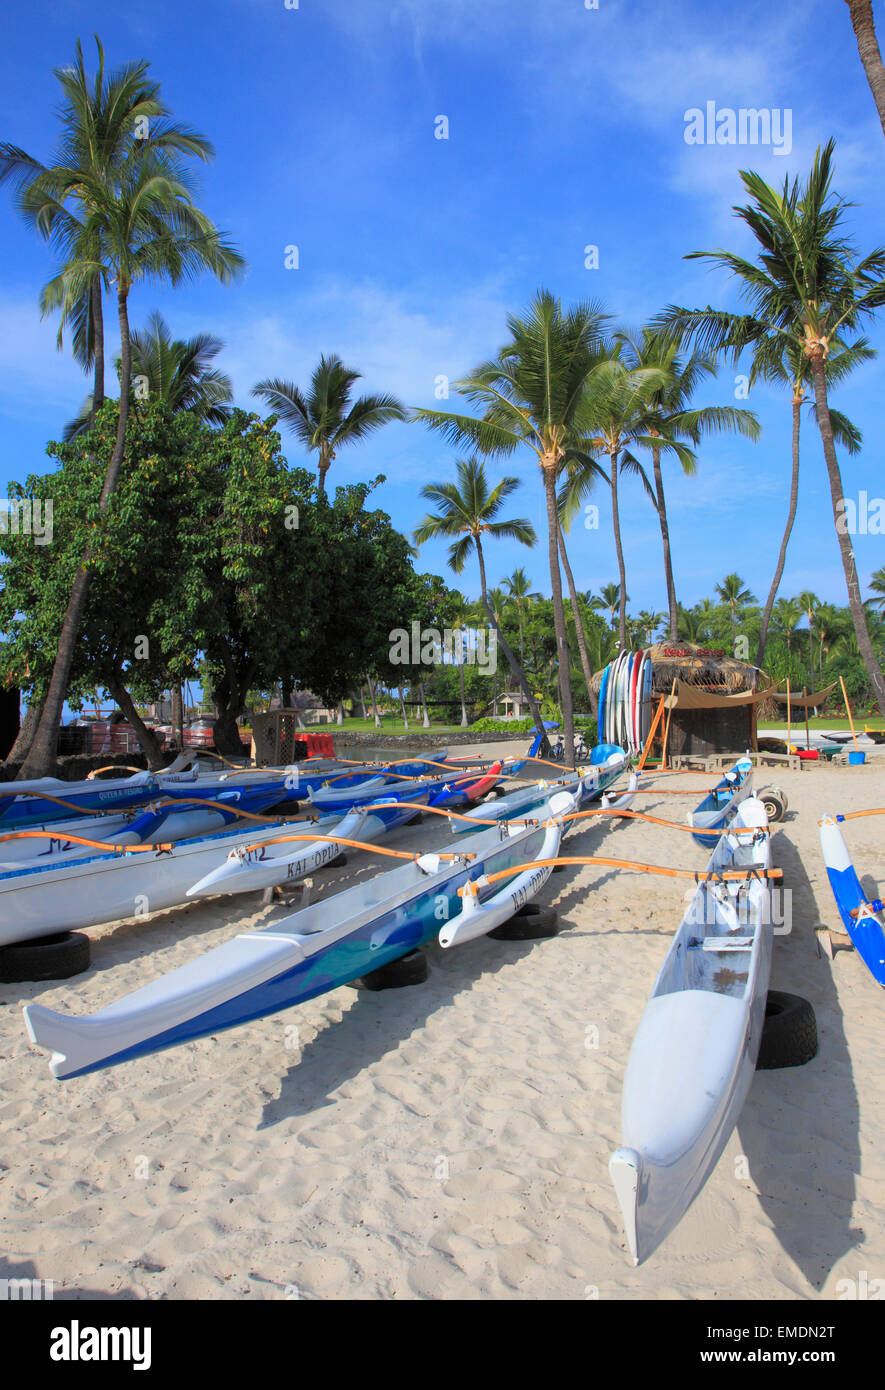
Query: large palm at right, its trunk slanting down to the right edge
(809,286)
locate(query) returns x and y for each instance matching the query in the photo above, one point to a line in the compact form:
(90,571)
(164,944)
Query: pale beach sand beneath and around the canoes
(452,1139)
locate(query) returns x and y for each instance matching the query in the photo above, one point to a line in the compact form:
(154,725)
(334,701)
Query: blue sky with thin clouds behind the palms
(566,130)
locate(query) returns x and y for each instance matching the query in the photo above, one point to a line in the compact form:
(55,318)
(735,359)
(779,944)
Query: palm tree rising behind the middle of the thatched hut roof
(679,423)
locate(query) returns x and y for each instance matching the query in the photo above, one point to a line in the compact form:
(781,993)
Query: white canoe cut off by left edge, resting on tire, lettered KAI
(45,899)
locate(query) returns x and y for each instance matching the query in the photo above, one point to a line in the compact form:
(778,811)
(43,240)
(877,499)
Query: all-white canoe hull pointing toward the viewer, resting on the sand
(695,1052)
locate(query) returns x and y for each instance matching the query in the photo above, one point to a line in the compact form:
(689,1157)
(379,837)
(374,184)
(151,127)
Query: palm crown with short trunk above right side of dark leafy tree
(324,420)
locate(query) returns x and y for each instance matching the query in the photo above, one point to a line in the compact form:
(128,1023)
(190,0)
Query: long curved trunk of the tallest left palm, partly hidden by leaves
(42,753)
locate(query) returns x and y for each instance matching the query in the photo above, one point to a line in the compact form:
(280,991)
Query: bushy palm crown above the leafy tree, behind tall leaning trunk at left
(176,373)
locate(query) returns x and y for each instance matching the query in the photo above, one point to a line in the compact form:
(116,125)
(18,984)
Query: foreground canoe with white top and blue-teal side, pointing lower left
(322,947)
